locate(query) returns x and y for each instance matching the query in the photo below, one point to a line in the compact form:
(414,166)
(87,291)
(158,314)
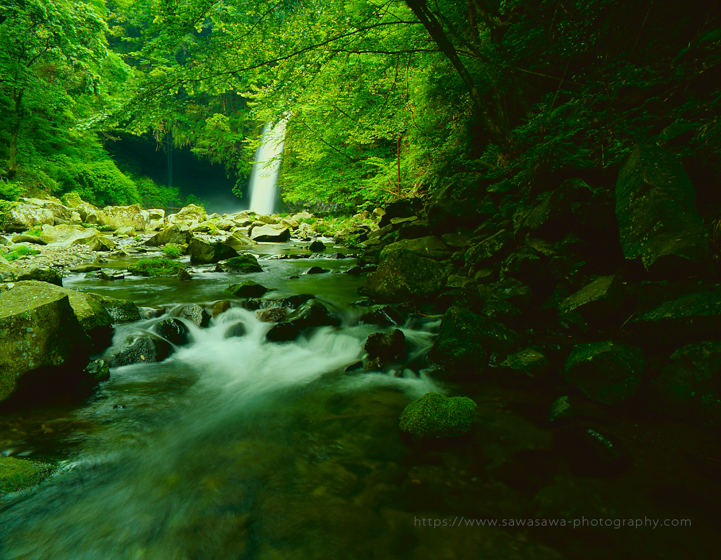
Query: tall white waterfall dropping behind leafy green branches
(265,169)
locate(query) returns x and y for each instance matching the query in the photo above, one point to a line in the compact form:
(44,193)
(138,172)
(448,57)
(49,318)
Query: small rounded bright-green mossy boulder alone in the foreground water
(435,416)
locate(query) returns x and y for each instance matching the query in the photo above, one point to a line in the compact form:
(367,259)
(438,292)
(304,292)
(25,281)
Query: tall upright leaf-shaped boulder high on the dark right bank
(657,217)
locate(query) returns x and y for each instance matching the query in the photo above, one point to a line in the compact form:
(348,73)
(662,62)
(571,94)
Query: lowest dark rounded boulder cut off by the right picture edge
(689,386)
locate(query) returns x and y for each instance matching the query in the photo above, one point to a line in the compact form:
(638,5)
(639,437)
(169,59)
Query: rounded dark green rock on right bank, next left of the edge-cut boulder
(605,372)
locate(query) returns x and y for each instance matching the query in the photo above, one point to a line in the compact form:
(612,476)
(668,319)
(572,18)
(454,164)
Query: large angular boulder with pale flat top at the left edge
(38,329)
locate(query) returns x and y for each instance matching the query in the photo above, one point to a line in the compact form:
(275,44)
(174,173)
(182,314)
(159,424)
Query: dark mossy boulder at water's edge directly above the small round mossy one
(465,340)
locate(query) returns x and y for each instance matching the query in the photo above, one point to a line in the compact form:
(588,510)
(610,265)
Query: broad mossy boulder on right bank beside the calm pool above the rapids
(405,271)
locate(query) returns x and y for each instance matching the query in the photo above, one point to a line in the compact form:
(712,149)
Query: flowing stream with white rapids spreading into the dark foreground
(239,448)
